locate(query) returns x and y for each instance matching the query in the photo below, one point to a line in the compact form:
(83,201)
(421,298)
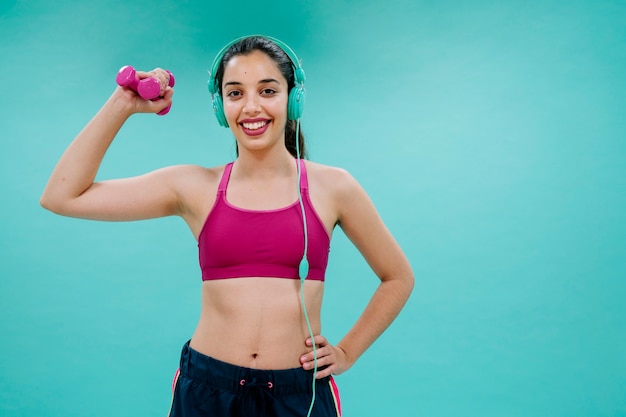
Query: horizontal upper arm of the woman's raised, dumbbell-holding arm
(151,195)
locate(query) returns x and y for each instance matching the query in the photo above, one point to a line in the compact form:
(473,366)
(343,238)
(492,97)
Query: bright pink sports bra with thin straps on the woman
(236,242)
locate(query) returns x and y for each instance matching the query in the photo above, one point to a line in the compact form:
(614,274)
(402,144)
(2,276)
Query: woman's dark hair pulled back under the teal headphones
(257,43)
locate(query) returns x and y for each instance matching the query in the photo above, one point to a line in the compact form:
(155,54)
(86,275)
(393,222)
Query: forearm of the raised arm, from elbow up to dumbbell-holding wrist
(79,164)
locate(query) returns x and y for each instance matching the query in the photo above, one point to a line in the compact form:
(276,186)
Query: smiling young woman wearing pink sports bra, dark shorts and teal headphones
(252,352)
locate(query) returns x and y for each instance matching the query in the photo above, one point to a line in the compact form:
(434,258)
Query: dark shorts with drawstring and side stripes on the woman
(206,387)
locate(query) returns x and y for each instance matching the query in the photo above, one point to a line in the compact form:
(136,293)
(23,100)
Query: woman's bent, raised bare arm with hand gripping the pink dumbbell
(71,190)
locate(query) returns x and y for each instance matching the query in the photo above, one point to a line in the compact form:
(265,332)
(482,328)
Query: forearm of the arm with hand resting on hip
(383,308)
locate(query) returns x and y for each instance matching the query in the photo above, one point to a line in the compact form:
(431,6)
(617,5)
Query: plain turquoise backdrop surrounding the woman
(490,135)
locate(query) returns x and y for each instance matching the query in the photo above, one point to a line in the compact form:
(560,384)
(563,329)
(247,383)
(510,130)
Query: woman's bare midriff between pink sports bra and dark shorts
(257,322)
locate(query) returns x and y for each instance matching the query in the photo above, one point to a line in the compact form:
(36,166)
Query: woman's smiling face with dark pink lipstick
(255,96)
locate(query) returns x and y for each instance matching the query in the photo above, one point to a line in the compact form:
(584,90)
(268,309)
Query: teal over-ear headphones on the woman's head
(295,104)
